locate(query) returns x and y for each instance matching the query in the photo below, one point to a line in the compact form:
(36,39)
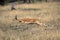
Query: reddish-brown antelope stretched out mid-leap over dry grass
(29,20)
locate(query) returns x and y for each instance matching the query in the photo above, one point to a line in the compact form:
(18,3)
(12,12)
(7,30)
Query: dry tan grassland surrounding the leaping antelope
(48,13)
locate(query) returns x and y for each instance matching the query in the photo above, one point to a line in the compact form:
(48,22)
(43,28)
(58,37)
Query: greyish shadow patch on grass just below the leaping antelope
(23,27)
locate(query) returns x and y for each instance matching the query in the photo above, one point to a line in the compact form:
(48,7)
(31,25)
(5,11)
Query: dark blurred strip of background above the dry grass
(3,2)
